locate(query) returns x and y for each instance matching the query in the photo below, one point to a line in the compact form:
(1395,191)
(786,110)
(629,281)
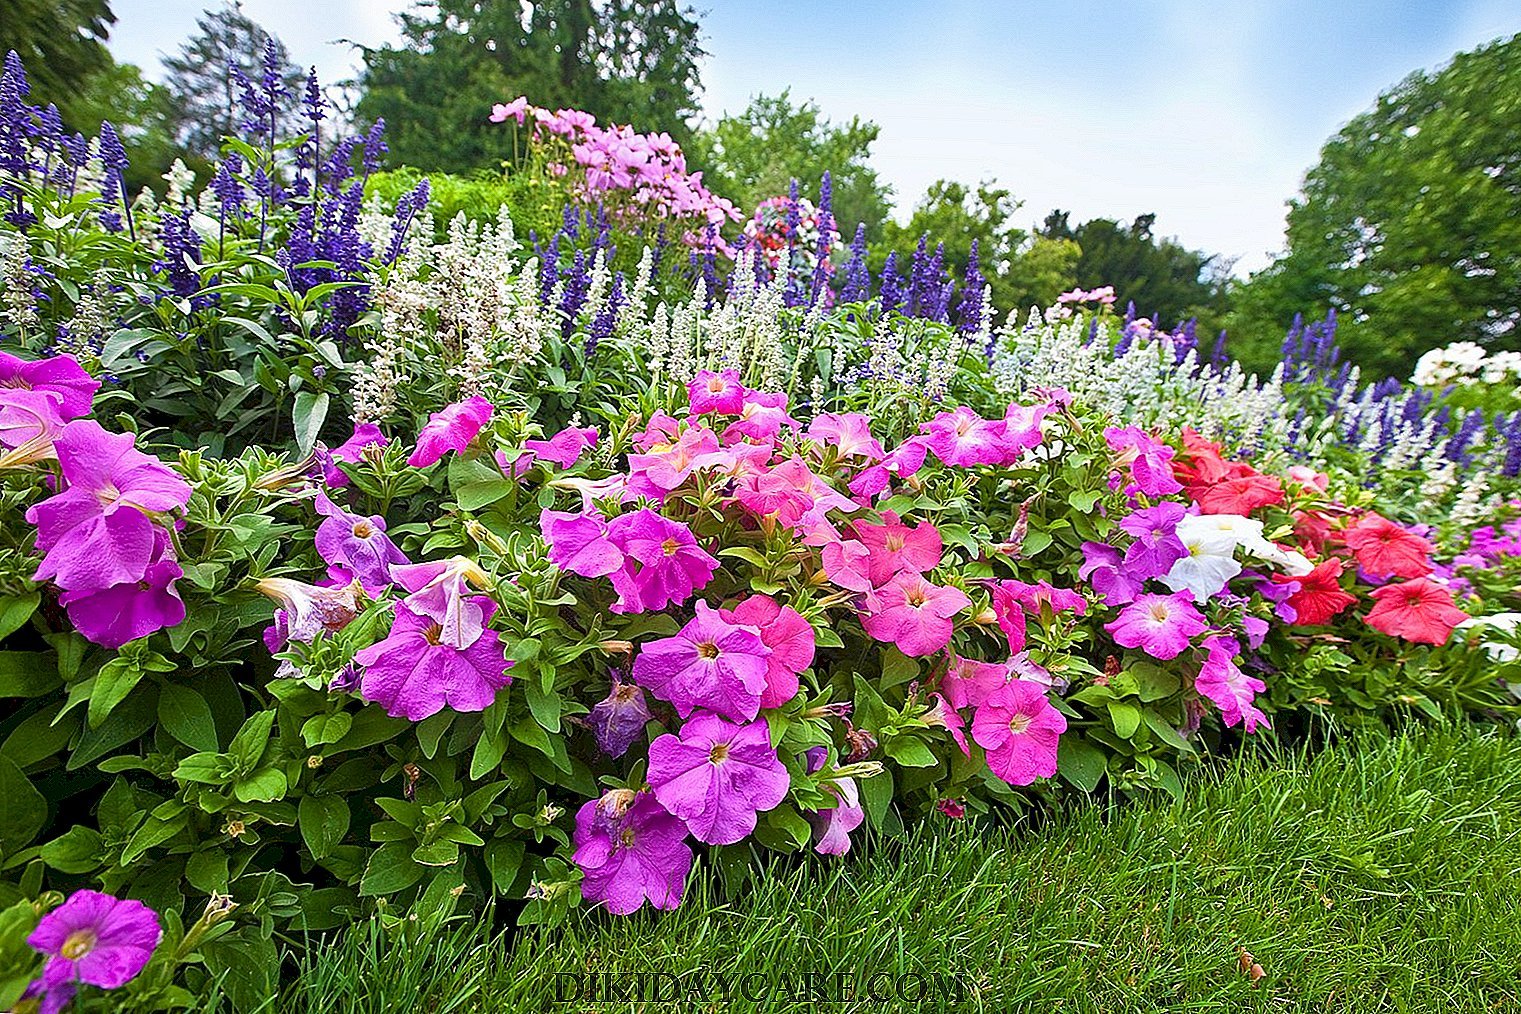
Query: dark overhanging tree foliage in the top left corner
(60,42)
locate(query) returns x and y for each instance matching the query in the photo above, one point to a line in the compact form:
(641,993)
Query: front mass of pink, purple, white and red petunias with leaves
(481,661)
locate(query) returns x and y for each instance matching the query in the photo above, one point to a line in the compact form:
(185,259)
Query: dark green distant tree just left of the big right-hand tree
(1163,277)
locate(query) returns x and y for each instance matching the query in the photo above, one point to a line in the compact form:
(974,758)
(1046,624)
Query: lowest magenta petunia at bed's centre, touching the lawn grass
(630,852)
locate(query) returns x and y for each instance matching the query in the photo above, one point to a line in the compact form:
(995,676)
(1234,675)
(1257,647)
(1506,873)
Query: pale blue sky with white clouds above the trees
(1205,115)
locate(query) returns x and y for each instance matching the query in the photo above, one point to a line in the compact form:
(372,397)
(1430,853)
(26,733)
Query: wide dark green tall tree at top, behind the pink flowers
(626,62)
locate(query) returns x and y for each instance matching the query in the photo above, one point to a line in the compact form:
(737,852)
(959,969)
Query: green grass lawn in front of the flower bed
(1380,875)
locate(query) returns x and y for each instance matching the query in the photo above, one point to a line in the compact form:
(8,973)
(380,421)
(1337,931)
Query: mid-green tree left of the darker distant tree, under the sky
(1023,270)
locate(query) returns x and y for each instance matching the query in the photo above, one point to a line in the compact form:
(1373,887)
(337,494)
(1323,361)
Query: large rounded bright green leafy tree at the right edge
(1411,224)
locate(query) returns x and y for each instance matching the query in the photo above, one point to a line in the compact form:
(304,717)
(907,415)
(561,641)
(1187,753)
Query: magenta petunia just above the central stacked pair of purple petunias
(662,562)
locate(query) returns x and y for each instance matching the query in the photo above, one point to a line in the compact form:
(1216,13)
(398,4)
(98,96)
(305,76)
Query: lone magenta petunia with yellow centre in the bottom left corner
(97,939)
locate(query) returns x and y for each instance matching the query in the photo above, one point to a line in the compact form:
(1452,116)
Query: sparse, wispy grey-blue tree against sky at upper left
(205,87)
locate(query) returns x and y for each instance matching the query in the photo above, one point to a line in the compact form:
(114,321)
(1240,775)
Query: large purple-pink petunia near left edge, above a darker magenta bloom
(97,533)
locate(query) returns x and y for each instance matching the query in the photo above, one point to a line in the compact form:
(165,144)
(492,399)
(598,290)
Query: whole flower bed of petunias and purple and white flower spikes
(585,591)
